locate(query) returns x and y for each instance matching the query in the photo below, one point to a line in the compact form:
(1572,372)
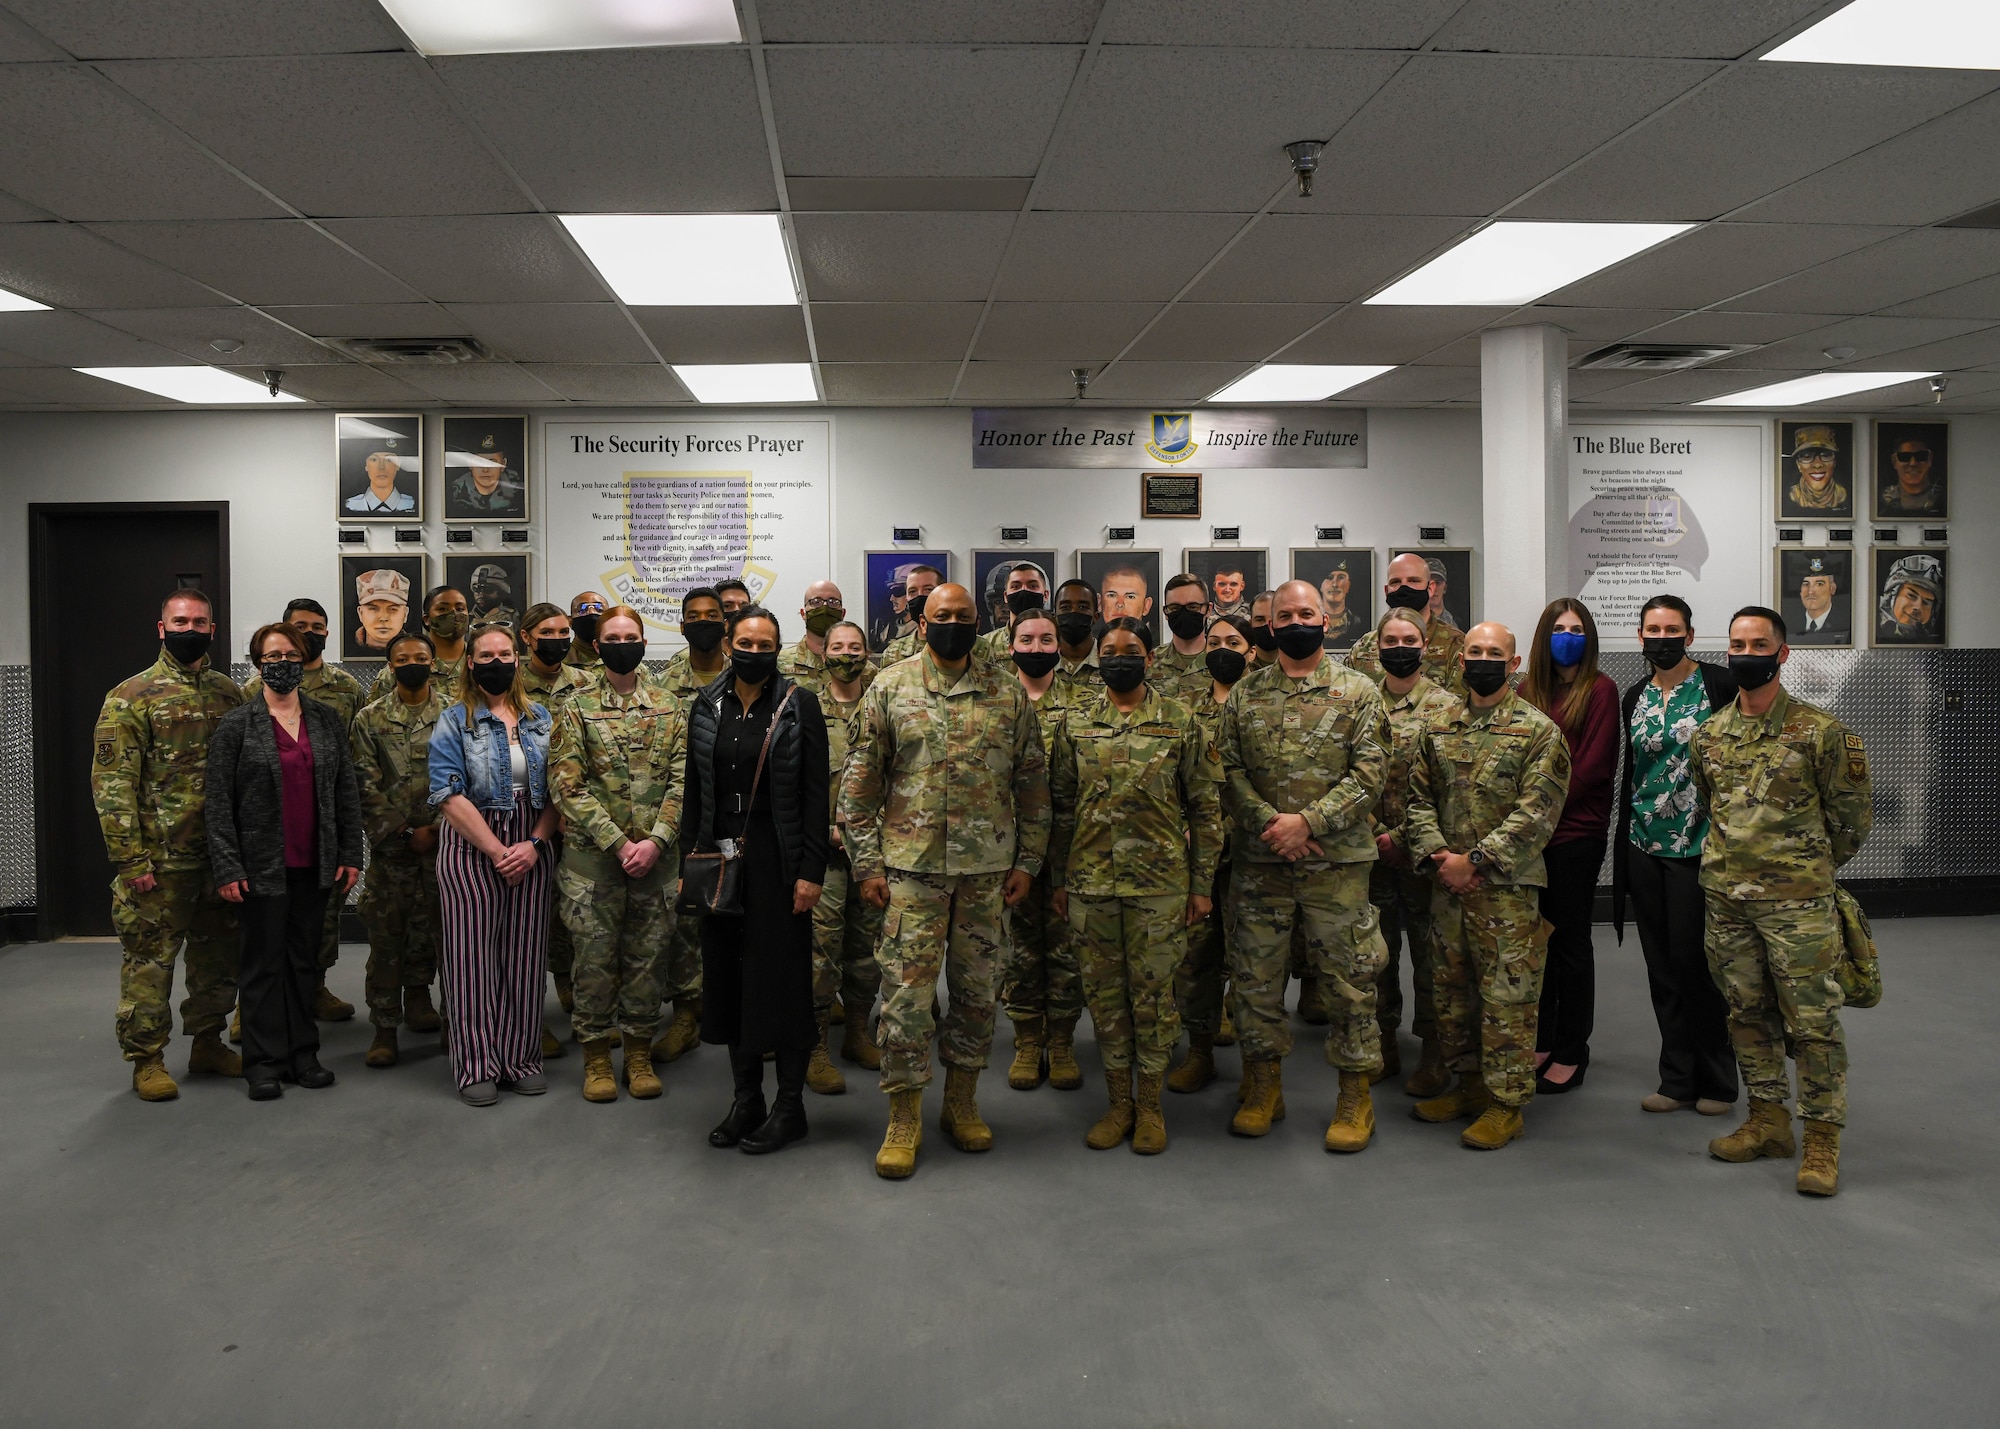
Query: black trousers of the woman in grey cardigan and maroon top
(279,974)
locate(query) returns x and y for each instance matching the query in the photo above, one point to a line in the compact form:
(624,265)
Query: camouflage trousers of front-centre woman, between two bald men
(1129,952)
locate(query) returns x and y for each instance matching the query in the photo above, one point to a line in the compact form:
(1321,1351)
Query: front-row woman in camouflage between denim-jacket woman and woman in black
(617,772)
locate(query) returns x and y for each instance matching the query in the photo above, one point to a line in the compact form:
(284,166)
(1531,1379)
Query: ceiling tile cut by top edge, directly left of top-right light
(1691,29)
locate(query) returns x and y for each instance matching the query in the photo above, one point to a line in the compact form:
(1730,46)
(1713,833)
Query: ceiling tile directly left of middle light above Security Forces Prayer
(477,259)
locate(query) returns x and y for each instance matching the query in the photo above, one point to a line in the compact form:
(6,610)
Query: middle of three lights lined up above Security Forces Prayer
(689,261)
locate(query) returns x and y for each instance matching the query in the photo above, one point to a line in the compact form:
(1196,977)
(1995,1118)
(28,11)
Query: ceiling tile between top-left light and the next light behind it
(665,131)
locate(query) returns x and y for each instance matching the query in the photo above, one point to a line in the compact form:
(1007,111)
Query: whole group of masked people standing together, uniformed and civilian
(1047,818)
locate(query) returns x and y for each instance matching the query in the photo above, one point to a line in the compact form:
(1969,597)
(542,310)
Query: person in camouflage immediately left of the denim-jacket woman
(391,746)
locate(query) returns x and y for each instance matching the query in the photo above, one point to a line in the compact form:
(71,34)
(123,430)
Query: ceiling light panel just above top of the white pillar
(1513,263)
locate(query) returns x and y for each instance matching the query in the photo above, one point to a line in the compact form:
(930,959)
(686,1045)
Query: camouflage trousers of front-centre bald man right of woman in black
(939,926)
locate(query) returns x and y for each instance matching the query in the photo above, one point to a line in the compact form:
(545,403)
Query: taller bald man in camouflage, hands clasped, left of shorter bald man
(1305,752)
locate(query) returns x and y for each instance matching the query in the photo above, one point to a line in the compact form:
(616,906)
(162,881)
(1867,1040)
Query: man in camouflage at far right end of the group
(1789,802)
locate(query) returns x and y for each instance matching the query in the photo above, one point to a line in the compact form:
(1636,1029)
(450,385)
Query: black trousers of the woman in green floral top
(1695,1036)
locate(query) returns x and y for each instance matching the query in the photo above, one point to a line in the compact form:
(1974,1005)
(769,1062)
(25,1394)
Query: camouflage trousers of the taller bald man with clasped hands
(1329,904)
